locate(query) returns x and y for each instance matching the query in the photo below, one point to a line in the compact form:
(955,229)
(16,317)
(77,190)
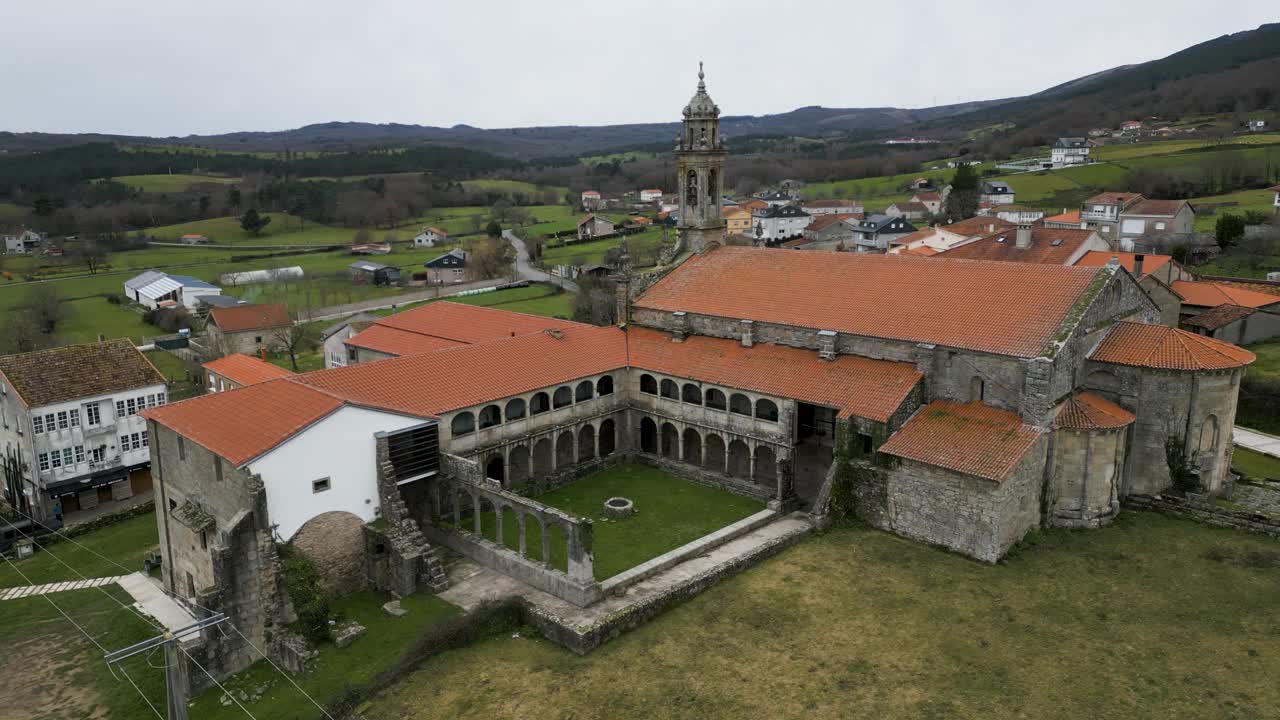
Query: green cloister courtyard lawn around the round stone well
(670,513)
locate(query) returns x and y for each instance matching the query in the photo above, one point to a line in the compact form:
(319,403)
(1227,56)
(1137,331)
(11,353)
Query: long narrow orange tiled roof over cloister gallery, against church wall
(852,385)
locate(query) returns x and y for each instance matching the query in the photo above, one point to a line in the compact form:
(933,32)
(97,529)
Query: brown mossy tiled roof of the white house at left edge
(74,372)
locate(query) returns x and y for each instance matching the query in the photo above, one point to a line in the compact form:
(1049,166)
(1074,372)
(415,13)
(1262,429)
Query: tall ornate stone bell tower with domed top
(701,172)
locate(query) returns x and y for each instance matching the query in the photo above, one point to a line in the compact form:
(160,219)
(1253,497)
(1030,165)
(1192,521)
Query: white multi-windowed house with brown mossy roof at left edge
(72,430)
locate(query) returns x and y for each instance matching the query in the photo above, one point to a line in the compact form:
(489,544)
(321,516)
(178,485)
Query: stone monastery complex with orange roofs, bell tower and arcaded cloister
(1012,397)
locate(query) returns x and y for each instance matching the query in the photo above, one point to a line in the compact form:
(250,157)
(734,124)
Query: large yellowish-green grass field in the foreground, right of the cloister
(1153,618)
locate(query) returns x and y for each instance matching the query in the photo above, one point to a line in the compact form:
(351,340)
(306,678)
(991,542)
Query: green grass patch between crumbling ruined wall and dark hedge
(385,642)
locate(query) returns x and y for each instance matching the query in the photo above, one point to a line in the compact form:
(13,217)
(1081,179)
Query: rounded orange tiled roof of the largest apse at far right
(1167,349)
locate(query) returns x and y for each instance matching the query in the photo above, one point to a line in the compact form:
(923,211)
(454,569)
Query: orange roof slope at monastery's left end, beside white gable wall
(243,425)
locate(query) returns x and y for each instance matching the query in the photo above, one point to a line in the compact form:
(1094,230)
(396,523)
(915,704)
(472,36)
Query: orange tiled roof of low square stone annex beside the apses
(973,439)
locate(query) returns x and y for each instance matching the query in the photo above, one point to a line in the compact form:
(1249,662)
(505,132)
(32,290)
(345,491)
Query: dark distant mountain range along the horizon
(1229,56)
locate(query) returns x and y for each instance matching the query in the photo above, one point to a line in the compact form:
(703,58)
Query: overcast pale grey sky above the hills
(179,67)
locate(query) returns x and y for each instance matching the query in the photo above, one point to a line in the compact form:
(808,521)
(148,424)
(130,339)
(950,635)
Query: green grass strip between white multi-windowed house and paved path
(125,543)
